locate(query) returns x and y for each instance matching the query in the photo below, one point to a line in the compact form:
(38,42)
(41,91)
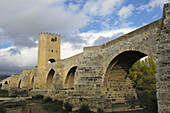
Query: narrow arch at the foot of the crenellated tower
(49,81)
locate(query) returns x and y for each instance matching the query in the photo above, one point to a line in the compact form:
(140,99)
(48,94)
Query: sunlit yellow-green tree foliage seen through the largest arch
(142,74)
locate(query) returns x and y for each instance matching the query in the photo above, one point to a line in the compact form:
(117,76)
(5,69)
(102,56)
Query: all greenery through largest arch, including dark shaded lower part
(142,74)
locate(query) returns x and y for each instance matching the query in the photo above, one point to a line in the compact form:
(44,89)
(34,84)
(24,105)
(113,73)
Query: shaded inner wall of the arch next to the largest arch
(69,81)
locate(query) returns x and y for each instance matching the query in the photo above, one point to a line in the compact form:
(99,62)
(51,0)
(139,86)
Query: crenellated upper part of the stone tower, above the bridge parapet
(48,49)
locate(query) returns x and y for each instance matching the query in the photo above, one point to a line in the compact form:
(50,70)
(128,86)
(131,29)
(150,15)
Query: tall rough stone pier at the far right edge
(163,64)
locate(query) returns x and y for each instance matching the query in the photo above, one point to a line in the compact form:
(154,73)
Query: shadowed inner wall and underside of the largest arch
(117,86)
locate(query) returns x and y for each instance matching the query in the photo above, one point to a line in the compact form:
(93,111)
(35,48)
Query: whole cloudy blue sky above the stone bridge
(80,23)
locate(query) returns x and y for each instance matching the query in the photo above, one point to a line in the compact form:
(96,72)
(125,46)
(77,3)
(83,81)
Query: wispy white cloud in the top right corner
(153,4)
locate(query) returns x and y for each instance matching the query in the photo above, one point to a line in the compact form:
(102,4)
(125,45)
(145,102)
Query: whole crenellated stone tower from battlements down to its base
(48,52)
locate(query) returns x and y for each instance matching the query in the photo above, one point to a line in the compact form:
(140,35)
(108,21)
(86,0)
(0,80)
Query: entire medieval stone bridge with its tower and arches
(98,75)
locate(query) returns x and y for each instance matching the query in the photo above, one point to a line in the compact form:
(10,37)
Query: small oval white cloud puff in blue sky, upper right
(126,11)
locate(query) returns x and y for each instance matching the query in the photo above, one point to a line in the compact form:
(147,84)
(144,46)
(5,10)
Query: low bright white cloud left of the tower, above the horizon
(14,60)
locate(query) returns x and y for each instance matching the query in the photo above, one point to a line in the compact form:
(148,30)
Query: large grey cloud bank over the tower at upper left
(21,20)
